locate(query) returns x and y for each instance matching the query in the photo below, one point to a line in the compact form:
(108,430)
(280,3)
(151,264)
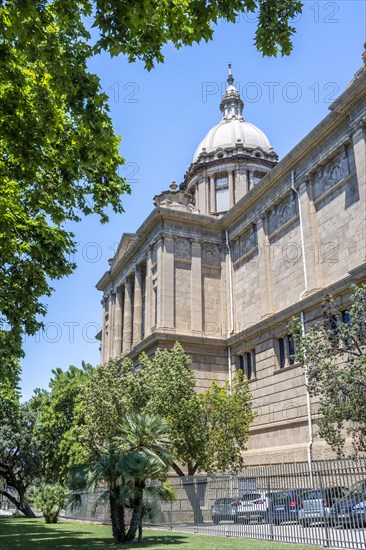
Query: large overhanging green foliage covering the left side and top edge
(59,154)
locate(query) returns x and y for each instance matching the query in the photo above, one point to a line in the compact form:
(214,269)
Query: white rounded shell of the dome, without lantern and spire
(232,132)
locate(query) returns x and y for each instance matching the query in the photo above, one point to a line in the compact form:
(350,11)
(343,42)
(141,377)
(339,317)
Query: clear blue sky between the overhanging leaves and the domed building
(162,116)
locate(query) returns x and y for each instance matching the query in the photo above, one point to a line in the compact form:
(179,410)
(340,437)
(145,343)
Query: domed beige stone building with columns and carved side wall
(225,259)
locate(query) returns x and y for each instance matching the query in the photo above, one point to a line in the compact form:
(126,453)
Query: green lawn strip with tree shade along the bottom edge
(34,534)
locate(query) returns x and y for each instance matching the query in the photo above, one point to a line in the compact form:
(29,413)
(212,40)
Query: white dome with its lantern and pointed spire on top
(233,130)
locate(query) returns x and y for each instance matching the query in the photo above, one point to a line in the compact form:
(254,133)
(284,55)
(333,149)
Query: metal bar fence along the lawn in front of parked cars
(285,503)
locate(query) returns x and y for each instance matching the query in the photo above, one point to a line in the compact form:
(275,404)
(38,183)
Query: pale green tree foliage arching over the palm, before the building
(208,430)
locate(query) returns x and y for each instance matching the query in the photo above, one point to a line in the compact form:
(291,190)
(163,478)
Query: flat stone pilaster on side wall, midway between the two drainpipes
(265,267)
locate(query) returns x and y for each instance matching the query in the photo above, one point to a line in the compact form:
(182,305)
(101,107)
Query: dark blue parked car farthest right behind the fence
(351,509)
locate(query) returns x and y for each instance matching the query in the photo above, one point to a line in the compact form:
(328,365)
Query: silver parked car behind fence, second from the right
(316,504)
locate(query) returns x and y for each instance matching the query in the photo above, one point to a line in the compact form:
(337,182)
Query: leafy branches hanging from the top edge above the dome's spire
(140,29)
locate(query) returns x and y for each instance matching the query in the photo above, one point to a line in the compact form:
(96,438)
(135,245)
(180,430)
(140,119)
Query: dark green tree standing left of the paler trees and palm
(57,410)
